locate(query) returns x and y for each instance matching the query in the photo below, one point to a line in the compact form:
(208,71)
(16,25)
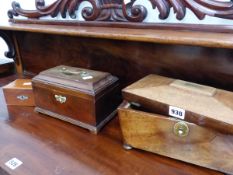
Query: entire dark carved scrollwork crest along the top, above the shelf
(120,10)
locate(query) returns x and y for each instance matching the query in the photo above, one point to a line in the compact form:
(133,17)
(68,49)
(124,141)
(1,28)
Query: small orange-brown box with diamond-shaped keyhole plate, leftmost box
(19,92)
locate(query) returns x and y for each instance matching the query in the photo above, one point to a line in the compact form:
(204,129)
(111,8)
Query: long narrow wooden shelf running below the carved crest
(180,37)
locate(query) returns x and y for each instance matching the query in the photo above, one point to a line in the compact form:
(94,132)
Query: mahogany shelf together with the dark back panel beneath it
(129,53)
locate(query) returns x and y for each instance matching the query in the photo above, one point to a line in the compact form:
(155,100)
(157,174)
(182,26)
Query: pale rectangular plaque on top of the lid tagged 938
(193,87)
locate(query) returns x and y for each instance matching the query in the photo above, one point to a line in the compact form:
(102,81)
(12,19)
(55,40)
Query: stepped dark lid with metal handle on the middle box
(84,80)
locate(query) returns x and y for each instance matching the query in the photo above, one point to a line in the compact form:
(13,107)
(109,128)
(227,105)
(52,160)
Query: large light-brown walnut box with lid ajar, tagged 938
(181,120)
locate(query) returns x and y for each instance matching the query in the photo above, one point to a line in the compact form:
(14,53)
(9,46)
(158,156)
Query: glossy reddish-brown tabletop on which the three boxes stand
(49,146)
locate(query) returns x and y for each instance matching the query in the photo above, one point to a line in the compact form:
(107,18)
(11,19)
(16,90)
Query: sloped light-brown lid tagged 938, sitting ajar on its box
(203,105)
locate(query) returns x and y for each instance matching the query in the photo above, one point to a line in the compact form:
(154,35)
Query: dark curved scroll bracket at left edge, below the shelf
(11,49)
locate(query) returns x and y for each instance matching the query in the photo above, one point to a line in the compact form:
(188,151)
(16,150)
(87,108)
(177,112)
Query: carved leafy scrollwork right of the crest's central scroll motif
(200,8)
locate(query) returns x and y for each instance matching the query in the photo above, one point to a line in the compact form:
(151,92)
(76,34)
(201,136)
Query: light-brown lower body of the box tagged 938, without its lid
(155,133)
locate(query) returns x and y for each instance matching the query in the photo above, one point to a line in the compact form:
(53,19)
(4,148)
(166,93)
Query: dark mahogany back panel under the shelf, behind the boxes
(127,60)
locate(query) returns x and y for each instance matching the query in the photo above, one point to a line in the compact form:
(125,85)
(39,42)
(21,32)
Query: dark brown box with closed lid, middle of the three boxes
(82,97)
